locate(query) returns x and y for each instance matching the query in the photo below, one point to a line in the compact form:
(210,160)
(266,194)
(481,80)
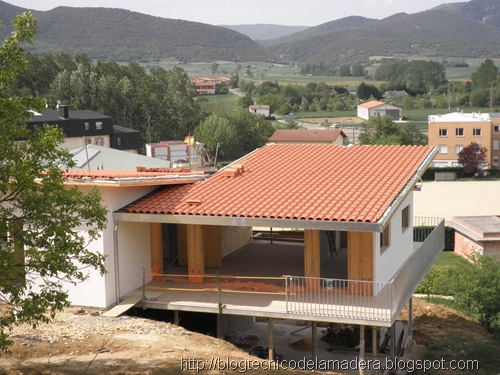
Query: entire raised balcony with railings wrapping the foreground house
(298,297)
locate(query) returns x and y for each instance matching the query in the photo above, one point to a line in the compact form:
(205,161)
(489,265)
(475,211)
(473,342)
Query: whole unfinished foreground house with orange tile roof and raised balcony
(184,241)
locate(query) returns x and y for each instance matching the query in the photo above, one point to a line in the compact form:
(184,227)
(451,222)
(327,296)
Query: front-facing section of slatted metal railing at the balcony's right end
(364,300)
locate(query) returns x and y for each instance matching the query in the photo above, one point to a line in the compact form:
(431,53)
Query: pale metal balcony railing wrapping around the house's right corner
(369,300)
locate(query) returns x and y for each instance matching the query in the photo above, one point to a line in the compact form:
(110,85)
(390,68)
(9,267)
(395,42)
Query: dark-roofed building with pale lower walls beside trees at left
(84,127)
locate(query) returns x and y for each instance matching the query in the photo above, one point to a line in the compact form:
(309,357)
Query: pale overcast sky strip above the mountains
(238,12)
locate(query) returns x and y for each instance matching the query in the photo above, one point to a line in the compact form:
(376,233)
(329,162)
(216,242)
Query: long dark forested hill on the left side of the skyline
(122,35)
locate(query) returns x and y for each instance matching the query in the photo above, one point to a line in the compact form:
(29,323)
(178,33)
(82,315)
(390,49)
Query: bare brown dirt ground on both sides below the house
(83,342)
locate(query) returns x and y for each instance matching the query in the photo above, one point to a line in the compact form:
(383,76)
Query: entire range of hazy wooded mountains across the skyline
(456,30)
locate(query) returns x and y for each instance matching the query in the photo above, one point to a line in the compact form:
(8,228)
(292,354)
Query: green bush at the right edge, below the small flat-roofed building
(477,290)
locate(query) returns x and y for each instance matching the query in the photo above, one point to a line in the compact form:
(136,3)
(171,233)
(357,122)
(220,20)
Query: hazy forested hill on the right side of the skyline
(431,33)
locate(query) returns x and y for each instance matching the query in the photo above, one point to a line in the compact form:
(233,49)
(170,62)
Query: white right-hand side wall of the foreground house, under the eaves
(389,259)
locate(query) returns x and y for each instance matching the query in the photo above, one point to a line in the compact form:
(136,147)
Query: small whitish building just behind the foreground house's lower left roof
(179,154)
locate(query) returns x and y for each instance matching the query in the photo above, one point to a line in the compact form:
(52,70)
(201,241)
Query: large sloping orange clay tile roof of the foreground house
(297,181)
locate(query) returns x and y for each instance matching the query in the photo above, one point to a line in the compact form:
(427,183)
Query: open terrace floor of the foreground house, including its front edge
(261,290)
